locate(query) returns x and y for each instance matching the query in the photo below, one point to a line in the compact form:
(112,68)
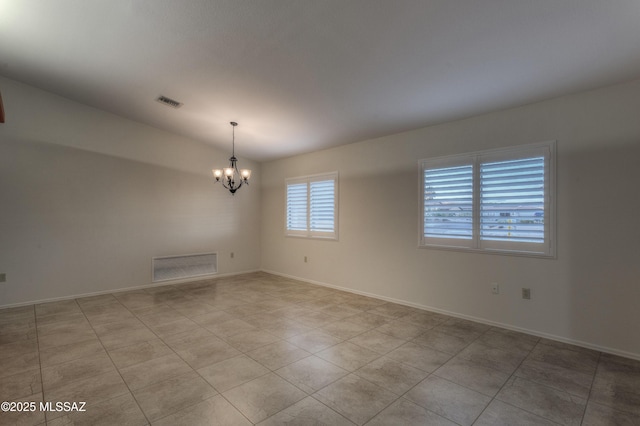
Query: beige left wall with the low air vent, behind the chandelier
(88,198)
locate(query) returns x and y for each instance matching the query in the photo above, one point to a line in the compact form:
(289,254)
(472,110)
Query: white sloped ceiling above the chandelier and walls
(303,75)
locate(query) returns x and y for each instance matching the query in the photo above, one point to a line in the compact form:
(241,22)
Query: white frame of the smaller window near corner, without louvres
(308,232)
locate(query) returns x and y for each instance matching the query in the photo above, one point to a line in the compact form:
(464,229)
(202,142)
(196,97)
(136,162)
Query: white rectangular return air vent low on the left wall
(185,266)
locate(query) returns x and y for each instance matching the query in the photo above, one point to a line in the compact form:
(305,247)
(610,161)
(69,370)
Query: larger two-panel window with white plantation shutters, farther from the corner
(498,201)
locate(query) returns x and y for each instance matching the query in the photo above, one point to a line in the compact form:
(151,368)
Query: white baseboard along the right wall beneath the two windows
(536,333)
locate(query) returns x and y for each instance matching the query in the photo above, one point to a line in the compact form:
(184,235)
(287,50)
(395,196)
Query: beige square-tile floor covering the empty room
(262,349)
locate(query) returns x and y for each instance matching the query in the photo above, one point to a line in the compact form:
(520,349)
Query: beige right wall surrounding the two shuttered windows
(589,295)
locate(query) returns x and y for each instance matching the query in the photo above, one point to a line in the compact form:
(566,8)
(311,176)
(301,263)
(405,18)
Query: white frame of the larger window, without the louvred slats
(476,243)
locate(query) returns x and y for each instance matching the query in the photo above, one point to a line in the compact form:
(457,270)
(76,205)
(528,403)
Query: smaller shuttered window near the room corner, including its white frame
(311,209)
